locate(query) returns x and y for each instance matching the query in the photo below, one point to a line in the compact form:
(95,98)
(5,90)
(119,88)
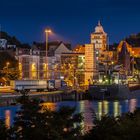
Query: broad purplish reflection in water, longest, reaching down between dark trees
(85,107)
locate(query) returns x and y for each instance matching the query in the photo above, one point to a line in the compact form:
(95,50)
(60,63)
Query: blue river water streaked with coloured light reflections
(87,108)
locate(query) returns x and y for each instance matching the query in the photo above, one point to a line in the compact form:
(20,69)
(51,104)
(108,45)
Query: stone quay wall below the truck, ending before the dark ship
(55,96)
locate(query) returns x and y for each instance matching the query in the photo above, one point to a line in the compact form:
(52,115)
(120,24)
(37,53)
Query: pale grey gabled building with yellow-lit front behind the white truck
(32,61)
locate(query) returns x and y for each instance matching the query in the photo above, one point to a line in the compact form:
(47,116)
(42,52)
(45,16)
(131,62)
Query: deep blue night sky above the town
(71,20)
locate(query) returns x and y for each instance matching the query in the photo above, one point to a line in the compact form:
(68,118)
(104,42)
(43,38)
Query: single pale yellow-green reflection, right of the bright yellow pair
(116,108)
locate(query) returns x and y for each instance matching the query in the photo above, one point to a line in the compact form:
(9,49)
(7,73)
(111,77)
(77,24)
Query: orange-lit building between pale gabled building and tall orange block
(72,68)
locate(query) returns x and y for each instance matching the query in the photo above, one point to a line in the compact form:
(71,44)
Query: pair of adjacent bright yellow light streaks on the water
(103,109)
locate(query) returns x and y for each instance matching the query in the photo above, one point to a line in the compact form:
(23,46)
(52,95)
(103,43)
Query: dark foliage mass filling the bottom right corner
(125,127)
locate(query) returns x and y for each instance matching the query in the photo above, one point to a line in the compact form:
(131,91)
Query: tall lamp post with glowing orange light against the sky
(47,31)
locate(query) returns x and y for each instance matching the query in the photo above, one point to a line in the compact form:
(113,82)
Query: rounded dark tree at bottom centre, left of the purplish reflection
(68,124)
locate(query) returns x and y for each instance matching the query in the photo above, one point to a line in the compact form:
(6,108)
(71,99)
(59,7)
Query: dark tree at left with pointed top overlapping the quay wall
(27,117)
